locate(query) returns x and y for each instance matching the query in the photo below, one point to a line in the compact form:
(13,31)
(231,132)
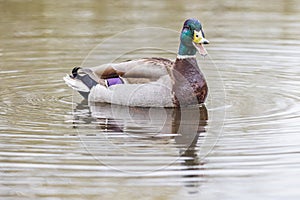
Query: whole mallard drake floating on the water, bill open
(149,82)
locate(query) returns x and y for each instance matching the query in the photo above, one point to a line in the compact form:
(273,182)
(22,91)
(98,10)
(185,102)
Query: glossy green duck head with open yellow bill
(192,38)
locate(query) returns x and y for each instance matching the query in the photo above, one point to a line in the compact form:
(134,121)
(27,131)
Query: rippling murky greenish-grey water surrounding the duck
(244,144)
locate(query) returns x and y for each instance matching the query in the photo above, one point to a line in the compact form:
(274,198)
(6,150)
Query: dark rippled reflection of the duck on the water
(179,128)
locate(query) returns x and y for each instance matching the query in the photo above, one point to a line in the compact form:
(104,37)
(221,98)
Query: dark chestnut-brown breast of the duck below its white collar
(189,86)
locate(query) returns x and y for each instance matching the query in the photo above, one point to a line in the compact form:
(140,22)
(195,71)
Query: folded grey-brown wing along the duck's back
(149,68)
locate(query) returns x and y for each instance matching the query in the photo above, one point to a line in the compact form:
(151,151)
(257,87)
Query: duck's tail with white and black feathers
(82,83)
